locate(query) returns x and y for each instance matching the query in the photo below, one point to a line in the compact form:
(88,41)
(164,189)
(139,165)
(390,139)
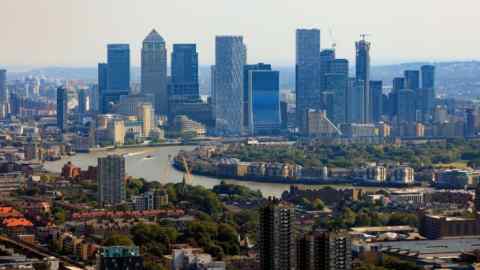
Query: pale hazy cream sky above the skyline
(75,32)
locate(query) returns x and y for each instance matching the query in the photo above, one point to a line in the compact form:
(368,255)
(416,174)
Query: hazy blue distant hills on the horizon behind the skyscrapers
(460,79)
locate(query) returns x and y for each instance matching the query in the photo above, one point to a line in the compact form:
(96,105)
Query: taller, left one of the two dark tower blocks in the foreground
(276,239)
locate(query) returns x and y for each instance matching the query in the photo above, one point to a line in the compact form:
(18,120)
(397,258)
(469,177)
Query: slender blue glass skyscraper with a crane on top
(362,70)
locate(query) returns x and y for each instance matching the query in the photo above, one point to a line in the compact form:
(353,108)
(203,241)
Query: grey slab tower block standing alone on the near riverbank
(111,180)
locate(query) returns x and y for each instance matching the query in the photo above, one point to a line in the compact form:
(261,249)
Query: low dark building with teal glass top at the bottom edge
(119,257)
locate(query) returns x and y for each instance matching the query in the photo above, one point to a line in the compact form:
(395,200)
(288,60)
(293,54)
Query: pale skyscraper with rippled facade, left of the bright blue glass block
(230,59)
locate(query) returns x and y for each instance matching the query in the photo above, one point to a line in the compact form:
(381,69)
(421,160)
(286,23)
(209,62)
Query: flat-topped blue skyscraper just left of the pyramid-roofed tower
(118,78)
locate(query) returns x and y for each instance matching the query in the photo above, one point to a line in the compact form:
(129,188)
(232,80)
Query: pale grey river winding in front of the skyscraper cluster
(158,168)
